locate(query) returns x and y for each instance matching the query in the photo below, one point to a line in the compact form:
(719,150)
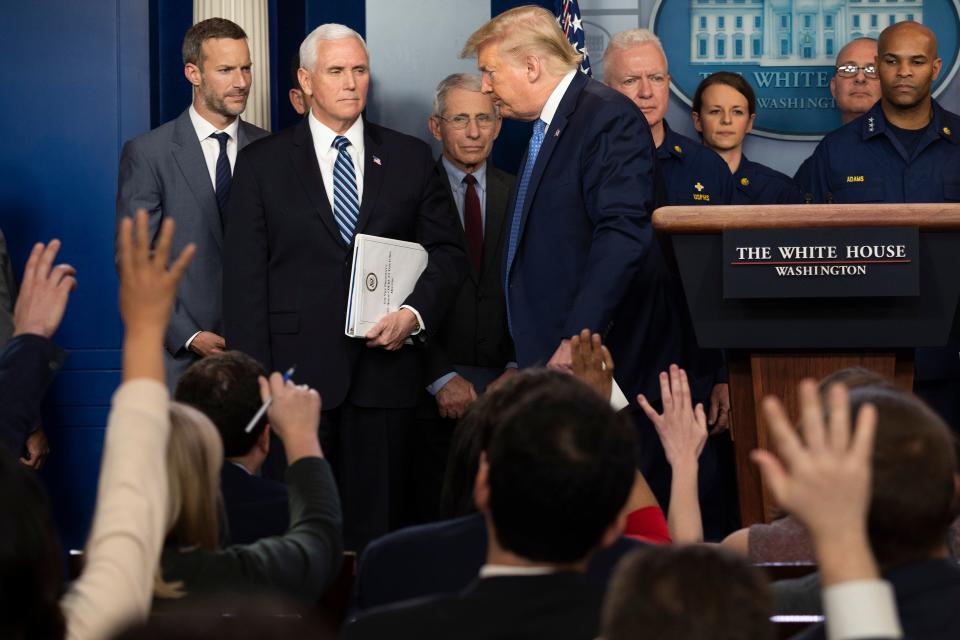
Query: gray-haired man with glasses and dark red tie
(473,347)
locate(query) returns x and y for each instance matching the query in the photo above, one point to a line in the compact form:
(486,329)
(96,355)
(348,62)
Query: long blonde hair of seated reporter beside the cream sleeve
(194,459)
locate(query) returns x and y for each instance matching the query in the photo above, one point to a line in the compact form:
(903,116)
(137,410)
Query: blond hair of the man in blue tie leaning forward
(523,31)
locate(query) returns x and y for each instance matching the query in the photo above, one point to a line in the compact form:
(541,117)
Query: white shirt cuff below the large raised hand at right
(861,609)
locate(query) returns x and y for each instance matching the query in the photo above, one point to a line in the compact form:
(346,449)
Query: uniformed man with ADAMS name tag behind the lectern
(905,149)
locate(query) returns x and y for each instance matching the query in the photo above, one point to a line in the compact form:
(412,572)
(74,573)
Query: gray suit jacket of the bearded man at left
(163,171)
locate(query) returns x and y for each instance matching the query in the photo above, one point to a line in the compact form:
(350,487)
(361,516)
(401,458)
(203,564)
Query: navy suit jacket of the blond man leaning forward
(584,228)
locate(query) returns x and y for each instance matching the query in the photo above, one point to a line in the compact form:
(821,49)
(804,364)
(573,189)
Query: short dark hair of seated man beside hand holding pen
(224,387)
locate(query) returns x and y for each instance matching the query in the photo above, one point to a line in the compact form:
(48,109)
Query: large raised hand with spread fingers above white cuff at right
(824,478)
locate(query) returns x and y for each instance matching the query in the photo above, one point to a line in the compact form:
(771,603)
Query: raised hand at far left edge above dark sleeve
(44,292)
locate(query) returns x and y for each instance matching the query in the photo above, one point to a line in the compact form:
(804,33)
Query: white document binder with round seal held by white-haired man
(384,273)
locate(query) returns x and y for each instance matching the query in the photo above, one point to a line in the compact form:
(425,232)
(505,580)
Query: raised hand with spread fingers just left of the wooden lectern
(682,428)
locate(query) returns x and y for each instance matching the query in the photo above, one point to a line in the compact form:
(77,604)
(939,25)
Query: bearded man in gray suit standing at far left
(183,168)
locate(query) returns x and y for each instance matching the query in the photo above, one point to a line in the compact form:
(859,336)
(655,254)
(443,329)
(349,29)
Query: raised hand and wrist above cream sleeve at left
(147,290)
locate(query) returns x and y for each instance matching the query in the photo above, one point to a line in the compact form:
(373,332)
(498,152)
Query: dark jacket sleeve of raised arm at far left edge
(27,365)
